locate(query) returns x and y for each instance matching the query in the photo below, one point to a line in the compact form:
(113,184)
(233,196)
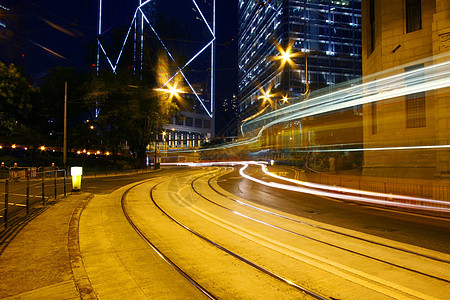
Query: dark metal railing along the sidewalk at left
(25,191)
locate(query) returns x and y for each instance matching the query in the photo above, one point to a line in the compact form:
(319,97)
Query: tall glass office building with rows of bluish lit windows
(328,32)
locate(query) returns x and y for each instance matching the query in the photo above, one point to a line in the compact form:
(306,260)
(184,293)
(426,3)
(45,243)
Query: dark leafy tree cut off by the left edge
(15,98)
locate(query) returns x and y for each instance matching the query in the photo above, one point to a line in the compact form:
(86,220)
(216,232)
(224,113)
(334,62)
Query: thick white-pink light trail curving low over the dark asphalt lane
(347,197)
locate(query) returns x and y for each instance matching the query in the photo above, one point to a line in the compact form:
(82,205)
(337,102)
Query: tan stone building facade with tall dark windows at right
(400,37)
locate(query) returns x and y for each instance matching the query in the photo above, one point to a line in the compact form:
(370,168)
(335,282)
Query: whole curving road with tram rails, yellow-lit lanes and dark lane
(234,238)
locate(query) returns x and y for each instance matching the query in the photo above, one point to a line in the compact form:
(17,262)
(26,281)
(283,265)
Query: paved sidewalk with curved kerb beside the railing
(42,261)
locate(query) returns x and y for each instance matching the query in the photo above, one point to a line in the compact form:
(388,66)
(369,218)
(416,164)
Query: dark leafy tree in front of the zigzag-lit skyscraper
(131,111)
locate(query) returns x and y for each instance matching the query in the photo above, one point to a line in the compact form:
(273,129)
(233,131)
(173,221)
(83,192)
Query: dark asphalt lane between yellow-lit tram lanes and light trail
(411,228)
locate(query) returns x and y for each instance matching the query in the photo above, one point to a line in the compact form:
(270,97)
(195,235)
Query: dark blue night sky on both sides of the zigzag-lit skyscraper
(42,34)
